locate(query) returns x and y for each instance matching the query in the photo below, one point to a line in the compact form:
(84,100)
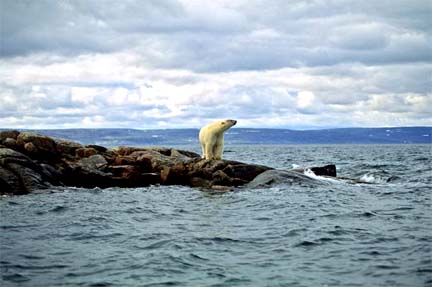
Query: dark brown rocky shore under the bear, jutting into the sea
(30,161)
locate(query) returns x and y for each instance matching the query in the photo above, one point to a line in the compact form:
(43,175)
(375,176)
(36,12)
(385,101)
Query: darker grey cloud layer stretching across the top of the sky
(243,36)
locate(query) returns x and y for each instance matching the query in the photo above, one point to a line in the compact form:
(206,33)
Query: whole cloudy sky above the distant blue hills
(185,63)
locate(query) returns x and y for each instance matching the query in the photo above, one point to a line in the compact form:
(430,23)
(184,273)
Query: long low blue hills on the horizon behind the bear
(132,137)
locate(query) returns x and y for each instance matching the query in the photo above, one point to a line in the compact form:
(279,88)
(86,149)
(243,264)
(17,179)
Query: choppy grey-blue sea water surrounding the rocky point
(334,233)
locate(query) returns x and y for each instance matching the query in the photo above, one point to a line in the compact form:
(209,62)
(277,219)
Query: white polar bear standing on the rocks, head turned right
(211,138)
